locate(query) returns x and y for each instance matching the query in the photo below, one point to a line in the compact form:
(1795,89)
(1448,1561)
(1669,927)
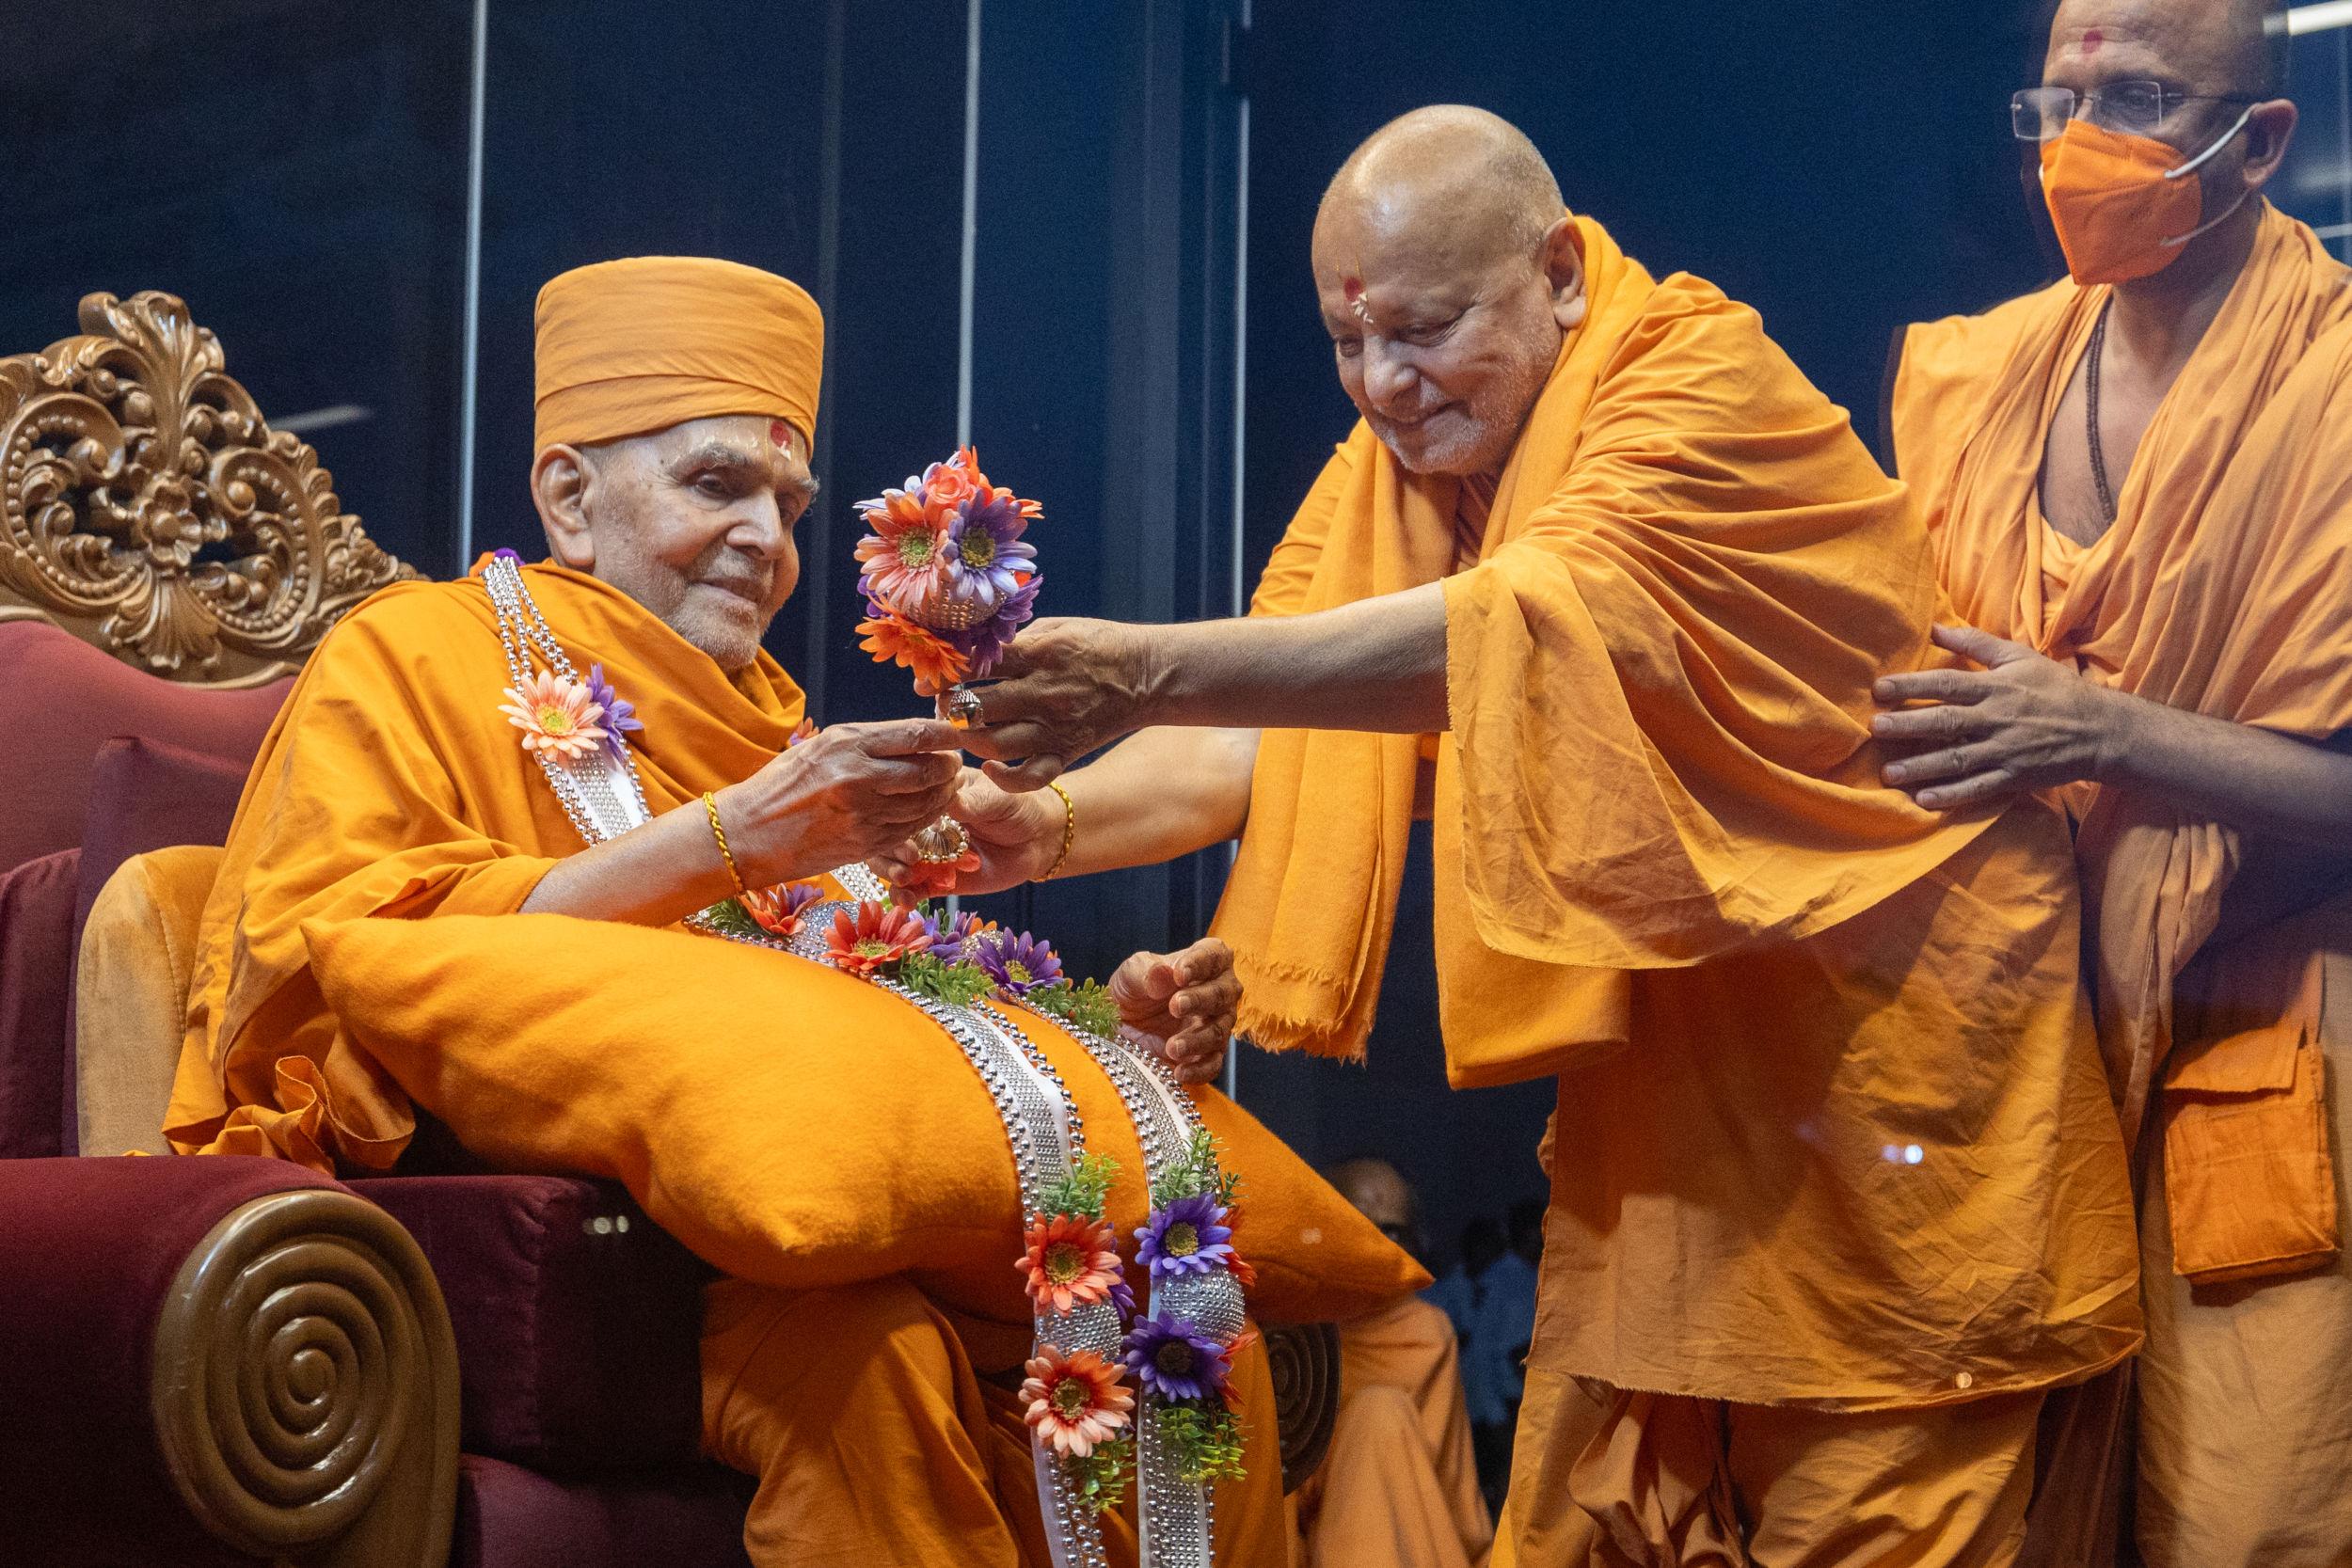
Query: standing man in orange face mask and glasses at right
(2141,495)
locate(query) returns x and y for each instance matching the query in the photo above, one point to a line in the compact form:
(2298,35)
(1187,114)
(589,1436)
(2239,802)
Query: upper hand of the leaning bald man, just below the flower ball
(1064,690)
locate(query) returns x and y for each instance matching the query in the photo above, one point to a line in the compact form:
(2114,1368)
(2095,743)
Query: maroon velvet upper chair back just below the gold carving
(62,699)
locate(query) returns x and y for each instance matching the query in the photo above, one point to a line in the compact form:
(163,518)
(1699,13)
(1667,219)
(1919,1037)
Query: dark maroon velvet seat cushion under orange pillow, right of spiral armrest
(577,1320)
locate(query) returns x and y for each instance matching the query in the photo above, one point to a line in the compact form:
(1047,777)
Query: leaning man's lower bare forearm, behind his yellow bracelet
(1158,796)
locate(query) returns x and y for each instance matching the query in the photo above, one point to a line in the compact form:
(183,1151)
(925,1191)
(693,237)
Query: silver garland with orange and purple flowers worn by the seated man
(1116,1393)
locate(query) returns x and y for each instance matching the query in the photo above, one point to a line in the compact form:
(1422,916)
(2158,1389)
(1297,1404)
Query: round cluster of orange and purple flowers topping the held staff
(947,572)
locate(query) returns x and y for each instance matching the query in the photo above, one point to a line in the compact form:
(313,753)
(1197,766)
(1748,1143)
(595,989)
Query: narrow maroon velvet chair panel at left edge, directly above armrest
(36,984)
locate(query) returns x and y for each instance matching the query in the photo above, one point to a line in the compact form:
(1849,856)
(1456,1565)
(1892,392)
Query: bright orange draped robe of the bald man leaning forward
(1831,1115)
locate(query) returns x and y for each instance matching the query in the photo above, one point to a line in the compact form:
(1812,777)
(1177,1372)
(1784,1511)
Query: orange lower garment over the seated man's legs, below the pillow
(883,1435)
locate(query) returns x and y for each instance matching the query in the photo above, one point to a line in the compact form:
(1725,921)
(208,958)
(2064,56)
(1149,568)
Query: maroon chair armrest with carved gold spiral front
(220,1351)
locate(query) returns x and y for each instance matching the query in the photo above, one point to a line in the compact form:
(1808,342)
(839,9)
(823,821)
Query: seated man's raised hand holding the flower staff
(841,796)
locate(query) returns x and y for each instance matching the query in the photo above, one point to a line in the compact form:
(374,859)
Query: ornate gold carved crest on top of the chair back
(152,511)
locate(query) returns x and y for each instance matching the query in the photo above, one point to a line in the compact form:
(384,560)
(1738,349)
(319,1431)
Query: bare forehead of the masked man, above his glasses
(2224,48)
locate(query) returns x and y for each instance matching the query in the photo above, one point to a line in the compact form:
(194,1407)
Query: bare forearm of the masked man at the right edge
(2252,779)
